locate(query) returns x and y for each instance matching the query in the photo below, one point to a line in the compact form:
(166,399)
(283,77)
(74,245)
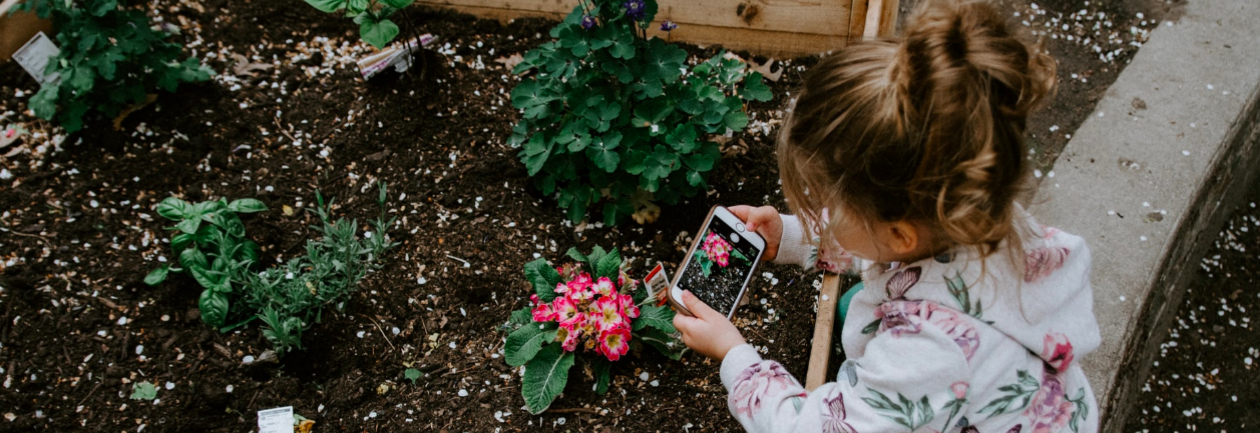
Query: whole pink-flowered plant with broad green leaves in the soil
(590,310)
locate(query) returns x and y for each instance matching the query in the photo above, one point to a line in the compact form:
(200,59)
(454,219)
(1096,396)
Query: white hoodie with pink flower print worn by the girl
(933,347)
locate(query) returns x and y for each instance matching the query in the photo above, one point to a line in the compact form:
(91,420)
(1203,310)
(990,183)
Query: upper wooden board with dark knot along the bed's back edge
(813,17)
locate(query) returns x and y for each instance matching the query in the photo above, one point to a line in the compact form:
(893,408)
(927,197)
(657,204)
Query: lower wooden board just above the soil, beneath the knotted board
(779,45)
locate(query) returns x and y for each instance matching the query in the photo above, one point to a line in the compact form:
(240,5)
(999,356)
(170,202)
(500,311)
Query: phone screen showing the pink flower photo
(720,267)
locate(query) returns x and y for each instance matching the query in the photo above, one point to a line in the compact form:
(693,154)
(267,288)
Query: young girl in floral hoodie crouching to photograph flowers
(909,155)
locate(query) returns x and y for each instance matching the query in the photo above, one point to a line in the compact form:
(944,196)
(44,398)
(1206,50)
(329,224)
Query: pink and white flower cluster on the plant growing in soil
(592,314)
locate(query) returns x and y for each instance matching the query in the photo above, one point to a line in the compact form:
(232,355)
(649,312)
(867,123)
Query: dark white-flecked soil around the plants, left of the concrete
(80,328)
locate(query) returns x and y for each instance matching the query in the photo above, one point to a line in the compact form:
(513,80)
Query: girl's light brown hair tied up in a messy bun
(928,128)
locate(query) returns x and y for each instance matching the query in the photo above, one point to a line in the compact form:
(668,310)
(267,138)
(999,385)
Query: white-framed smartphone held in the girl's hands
(720,264)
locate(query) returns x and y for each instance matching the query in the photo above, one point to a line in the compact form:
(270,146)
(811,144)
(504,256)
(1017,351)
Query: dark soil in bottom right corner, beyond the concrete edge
(1204,380)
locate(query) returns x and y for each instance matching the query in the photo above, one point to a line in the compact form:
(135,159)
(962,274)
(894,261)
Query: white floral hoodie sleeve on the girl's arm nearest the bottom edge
(912,377)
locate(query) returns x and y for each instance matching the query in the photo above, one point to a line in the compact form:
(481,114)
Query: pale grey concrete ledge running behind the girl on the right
(1151,177)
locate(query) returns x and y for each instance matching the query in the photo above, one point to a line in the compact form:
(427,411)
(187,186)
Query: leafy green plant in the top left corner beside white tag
(112,57)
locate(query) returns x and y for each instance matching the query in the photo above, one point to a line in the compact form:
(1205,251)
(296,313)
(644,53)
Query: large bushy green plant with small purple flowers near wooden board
(613,119)
